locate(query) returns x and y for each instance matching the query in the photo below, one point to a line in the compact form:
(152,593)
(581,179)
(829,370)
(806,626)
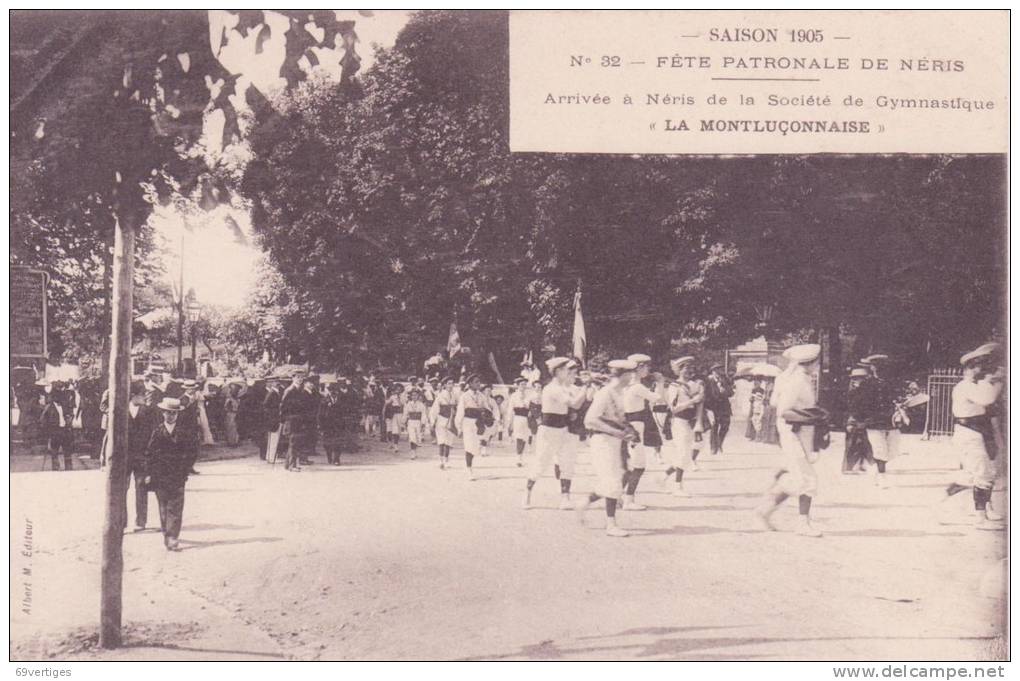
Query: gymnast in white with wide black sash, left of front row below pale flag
(554,442)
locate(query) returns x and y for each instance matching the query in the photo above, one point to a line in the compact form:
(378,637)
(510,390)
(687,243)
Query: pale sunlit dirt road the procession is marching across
(387,558)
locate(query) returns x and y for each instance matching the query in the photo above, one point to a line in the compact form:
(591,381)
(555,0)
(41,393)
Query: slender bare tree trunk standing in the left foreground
(117,462)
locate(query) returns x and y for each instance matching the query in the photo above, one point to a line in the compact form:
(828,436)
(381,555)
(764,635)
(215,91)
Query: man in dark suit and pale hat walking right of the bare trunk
(168,463)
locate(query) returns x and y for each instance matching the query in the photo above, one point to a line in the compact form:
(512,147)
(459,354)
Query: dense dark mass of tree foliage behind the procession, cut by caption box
(395,206)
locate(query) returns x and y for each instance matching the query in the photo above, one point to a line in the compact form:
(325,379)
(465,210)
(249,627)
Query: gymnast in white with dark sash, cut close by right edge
(975,435)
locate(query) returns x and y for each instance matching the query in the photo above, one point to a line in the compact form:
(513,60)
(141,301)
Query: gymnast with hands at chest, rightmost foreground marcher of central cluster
(686,401)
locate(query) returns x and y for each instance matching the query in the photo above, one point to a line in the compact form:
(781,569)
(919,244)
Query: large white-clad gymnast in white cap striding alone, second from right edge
(795,393)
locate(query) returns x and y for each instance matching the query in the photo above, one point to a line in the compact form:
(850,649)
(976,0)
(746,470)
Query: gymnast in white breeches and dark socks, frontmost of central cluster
(606,421)
